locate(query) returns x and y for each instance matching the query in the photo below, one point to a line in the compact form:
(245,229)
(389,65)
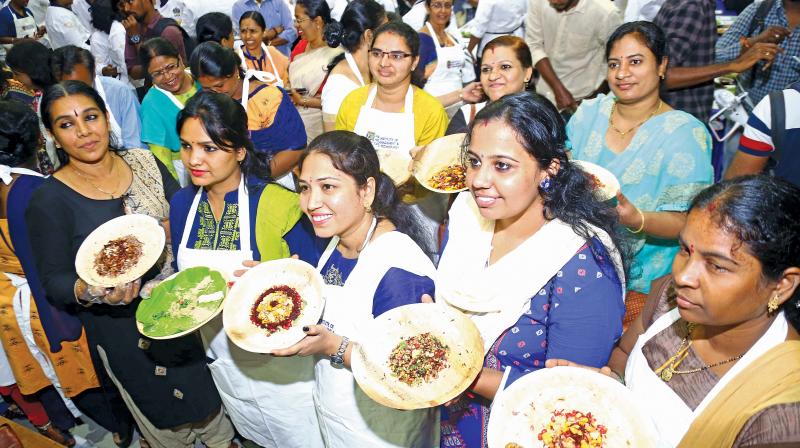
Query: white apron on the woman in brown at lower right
(670,414)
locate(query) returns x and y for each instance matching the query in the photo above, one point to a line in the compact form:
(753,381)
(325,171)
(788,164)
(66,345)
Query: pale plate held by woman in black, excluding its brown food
(143,228)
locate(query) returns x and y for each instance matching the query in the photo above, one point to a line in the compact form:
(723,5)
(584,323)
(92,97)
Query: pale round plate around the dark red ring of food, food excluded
(242,298)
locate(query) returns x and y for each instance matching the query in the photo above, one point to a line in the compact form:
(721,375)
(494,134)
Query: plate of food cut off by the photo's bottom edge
(568,407)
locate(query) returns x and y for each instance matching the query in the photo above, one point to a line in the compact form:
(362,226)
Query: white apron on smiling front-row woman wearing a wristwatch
(348,417)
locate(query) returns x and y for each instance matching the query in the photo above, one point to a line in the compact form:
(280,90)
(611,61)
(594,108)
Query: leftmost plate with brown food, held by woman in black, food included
(120,251)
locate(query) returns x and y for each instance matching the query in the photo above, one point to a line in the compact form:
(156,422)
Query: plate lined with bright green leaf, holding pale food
(182,303)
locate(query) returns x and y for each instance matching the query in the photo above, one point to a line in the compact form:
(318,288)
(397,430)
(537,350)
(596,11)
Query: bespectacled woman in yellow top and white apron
(396,116)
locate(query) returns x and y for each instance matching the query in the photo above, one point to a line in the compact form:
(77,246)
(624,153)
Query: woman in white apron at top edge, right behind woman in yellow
(448,65)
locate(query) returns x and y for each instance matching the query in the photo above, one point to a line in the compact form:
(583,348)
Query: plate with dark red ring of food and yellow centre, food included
(269,305)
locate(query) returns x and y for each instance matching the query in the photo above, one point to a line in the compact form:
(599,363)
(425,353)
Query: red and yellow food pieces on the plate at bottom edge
(572,429)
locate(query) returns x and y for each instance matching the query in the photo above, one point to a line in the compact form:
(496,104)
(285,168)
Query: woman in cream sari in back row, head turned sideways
(308,70)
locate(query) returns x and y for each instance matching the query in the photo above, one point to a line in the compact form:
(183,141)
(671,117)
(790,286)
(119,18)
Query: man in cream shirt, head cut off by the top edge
(567,39)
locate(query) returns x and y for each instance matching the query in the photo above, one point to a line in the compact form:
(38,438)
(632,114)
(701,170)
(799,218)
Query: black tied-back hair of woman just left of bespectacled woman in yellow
(358,16)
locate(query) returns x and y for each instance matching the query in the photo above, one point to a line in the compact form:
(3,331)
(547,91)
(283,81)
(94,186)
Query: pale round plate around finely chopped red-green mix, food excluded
(370,358)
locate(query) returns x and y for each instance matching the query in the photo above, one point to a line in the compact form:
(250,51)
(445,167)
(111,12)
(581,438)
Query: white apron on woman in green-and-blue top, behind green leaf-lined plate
(254,388)
